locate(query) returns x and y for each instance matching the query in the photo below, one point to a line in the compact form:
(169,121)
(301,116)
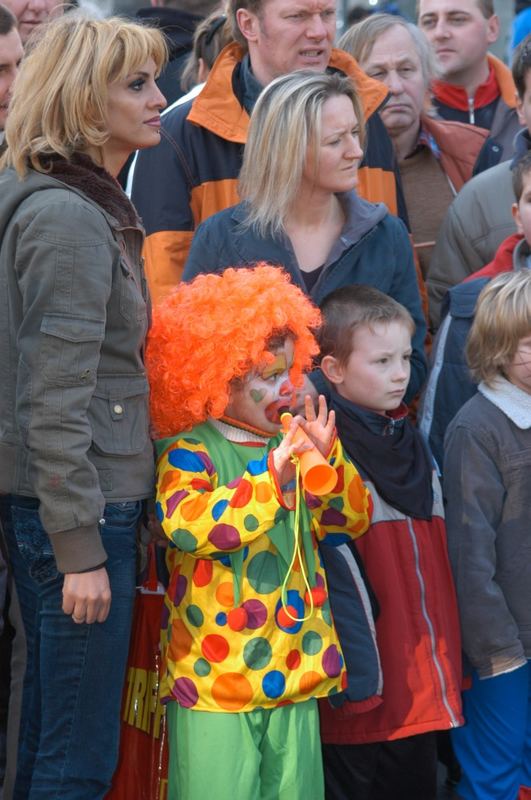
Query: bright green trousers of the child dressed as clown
(264,754)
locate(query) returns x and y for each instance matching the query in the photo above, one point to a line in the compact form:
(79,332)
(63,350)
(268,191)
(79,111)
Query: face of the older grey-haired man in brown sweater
(394,61)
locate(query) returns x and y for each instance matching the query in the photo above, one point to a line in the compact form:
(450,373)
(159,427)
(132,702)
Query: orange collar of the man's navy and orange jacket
(218,110)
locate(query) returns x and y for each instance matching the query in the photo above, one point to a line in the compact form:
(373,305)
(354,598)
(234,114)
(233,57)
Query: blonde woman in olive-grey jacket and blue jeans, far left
(75,454)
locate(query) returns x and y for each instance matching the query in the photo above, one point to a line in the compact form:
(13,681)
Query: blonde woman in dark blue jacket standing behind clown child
(299,206)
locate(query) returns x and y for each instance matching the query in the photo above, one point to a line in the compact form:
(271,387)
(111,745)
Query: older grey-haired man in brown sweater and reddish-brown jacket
(435,157)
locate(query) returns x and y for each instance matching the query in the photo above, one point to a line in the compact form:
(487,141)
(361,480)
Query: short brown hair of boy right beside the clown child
(346,309)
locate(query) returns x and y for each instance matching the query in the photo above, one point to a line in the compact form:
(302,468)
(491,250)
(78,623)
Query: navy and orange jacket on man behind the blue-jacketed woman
(193,173)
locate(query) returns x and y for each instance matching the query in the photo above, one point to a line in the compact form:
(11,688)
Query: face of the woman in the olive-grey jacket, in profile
(133,115)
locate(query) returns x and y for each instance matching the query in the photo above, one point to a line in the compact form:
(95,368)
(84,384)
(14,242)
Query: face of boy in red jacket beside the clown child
(376,374)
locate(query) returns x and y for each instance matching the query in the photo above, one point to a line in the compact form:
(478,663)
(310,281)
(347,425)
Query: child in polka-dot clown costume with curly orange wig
(249,642)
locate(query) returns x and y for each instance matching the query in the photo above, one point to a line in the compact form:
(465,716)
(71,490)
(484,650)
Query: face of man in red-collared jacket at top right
(459,33)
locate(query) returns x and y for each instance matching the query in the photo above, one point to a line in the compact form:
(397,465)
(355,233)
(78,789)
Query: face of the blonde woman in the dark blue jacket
(339,150)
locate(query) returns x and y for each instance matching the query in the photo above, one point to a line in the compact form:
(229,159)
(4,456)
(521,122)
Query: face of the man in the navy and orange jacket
(287,35)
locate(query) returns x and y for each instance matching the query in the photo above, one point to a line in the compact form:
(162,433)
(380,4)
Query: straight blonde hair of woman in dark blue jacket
(285,123)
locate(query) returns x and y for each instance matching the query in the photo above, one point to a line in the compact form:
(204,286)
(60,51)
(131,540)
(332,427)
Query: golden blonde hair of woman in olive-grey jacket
(60,95)
